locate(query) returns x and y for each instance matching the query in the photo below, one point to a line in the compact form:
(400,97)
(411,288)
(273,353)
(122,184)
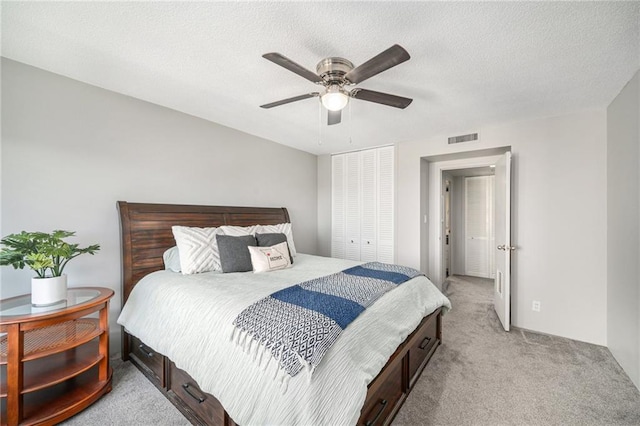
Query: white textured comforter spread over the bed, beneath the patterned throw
(189,319)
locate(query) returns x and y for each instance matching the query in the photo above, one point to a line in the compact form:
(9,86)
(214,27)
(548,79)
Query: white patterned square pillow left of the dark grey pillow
(197,248)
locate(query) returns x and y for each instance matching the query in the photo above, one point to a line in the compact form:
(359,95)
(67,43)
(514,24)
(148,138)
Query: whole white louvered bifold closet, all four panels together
(362,205)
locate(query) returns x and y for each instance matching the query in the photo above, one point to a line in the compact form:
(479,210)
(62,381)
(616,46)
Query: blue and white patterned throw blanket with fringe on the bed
(296,326)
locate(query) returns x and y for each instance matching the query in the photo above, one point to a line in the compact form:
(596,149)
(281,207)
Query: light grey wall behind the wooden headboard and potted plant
(71,150)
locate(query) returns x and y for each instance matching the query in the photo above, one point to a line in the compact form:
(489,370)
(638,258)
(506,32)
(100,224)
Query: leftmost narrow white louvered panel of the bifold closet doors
(338,207)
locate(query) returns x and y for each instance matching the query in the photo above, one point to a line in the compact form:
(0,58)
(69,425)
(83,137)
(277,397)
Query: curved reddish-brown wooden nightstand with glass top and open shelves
(54,361)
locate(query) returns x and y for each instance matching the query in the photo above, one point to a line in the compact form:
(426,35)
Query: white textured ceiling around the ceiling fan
(471,64)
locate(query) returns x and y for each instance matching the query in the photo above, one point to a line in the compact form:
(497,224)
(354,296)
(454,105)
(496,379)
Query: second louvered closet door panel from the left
(353,211)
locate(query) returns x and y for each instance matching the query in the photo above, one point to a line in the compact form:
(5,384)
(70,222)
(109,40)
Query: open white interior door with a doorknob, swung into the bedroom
(502,287)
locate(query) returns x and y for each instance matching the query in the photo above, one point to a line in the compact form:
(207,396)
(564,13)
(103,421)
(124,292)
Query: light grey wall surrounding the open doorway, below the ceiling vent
(558,218)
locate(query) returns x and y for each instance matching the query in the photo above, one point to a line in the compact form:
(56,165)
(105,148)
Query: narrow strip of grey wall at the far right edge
(623,222)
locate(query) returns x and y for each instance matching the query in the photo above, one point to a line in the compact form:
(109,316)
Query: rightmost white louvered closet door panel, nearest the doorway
(385,211)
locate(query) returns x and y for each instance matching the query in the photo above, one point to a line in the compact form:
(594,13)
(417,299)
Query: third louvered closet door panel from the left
(369,218)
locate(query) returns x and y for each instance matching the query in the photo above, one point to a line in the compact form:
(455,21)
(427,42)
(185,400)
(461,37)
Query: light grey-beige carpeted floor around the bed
(480,375)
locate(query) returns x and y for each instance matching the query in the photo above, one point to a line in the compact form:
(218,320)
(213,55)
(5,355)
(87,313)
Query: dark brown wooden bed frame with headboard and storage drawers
(146,234)
